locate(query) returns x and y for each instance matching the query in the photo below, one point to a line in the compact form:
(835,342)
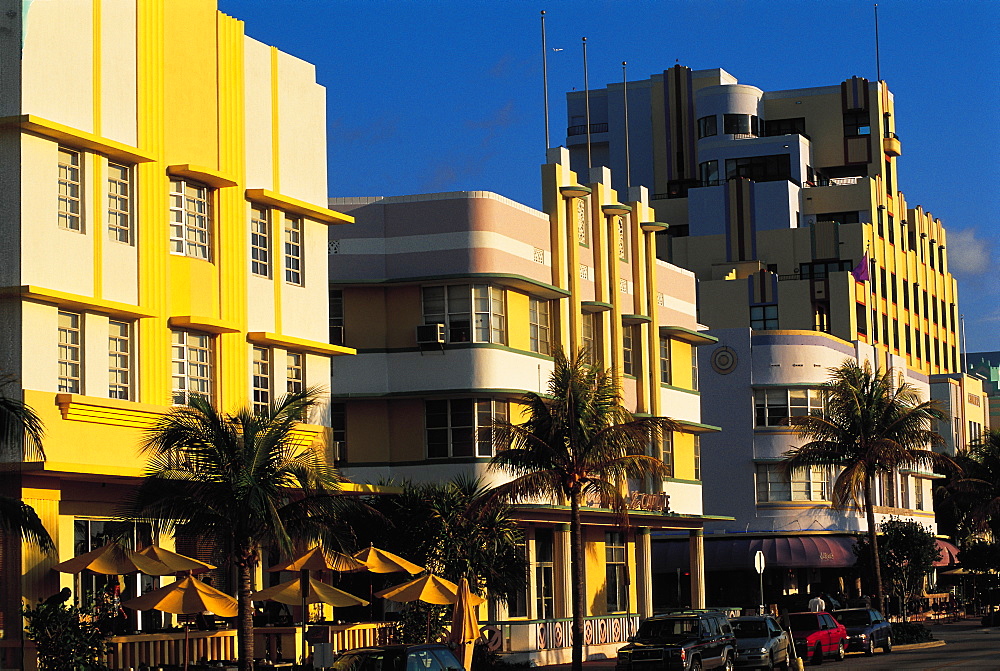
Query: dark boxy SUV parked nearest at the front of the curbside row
(688,640)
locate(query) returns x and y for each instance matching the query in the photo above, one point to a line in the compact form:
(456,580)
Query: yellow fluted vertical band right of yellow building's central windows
(231,222)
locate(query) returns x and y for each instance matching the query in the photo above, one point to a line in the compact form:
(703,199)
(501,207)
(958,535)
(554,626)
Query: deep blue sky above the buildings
(442,95)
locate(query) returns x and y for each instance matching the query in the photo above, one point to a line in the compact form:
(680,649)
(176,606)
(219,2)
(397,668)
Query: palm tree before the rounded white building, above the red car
(872,424)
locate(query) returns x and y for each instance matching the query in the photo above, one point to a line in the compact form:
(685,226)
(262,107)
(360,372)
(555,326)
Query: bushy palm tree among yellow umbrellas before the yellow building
(242,481)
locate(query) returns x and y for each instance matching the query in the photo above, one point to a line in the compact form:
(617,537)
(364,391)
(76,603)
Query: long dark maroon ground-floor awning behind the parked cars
(732,553)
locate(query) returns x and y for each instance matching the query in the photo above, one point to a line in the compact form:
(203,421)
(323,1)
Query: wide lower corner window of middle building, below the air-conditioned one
(462,427)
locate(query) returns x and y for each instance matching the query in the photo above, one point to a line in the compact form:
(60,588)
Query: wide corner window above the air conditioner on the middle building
(470,313)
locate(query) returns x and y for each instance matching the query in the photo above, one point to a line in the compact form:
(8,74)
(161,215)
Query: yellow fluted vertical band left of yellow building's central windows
(154,354)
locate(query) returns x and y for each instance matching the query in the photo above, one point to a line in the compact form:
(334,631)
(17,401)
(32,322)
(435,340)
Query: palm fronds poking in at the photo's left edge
(21,428)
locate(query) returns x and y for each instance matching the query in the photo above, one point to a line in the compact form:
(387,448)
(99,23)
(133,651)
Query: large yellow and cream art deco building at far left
(162,189)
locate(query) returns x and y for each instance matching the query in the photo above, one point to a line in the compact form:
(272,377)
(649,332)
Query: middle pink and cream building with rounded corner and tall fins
(461,300)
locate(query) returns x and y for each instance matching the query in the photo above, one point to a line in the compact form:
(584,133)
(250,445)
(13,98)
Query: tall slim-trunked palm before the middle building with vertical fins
(578,440)
